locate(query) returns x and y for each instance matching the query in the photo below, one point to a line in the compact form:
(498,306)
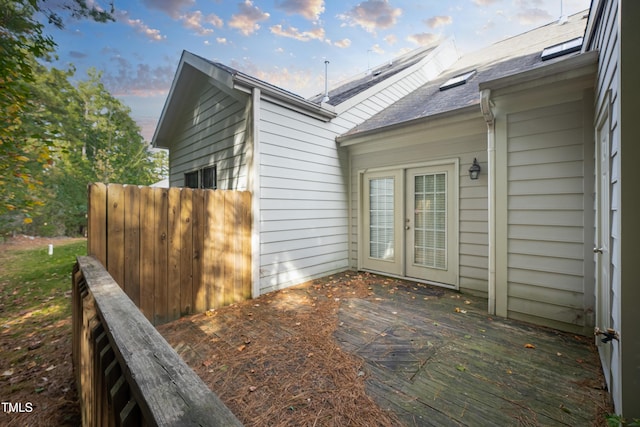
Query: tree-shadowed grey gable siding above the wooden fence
(212,132)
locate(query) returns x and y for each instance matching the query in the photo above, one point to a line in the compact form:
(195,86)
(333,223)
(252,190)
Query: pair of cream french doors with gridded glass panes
(410,223)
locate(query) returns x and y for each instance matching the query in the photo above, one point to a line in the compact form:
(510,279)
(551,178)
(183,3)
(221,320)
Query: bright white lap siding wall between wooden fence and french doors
(303,215)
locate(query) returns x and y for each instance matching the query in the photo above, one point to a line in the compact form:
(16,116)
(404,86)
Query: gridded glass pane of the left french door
(381,215)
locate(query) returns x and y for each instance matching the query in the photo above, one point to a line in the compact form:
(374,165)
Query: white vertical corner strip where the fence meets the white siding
(255,192)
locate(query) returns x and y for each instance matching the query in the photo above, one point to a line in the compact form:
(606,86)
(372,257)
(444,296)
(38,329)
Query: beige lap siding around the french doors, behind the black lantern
(416,147)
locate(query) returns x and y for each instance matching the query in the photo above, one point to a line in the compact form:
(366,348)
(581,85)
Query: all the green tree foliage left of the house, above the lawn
(57,136)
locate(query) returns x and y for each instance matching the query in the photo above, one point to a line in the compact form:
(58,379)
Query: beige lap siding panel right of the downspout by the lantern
(546,201)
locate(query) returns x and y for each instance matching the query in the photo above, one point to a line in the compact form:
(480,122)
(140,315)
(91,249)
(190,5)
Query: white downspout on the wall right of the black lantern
(489,118)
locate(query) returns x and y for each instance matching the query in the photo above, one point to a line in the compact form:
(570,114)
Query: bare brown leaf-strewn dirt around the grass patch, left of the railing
(37,383)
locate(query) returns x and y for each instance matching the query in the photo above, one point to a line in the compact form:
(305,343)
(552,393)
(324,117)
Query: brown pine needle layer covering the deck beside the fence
(288,371)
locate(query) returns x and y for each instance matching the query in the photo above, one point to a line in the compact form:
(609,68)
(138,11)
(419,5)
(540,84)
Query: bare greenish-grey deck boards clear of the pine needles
(436,358)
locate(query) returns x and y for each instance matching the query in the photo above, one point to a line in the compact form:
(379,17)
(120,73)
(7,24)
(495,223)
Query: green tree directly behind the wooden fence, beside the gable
(92,138)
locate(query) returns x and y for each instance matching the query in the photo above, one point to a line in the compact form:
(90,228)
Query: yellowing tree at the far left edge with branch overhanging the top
(23,153)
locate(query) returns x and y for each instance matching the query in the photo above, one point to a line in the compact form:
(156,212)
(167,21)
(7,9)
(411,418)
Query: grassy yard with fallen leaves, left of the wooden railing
(36,374)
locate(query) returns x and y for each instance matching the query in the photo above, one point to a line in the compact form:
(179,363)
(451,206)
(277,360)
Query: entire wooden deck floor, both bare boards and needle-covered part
(433,357)
